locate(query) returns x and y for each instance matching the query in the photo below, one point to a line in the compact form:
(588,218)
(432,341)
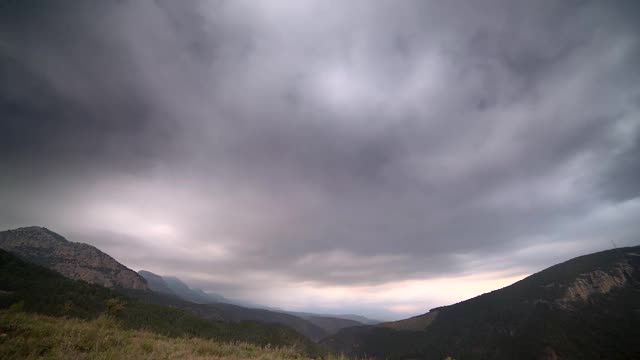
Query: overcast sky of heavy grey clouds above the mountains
(374,157)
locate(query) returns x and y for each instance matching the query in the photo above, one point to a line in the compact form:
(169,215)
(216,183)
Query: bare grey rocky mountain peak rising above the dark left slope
(74,260)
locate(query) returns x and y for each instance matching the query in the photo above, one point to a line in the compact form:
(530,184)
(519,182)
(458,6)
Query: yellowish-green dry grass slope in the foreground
(29,336)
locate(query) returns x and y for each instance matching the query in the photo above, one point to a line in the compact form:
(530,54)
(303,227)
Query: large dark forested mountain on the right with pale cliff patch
(585,308)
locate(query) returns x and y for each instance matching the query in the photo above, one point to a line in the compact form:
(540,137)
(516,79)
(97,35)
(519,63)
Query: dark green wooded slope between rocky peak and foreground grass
(43,291)
